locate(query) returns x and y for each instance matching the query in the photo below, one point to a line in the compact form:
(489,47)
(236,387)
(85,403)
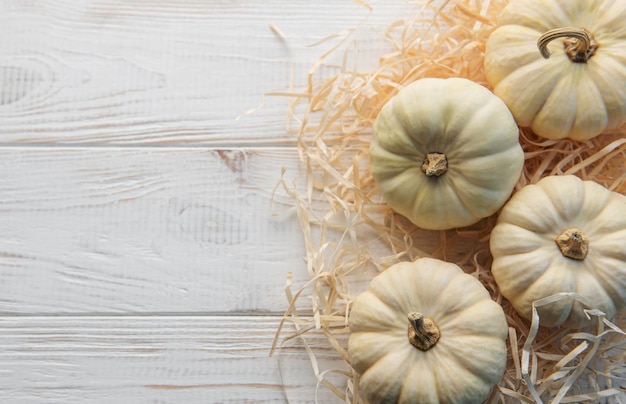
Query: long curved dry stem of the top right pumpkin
(579,46)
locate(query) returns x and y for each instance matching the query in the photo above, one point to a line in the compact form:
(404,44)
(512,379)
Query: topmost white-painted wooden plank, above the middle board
(171,72)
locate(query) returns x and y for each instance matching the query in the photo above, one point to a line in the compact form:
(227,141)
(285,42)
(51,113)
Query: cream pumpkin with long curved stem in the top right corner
(560,65)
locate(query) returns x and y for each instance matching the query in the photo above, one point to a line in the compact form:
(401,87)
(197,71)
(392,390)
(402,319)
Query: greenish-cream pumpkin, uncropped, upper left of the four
(445,153)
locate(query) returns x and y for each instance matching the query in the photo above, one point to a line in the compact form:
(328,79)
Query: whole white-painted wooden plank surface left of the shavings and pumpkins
(140,256)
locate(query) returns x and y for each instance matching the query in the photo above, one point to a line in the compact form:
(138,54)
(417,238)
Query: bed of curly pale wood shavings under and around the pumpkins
(350,234)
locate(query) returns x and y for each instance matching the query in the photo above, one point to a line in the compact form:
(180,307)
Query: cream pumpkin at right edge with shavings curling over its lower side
(562,234)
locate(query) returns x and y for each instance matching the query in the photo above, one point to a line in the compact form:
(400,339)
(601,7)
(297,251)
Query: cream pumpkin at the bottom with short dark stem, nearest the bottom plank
(426,332)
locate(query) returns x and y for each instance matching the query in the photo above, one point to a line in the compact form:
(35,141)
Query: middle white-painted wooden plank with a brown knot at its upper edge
(105,230)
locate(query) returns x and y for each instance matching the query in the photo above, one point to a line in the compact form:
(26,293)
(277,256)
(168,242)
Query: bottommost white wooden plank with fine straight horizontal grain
(155,359)
